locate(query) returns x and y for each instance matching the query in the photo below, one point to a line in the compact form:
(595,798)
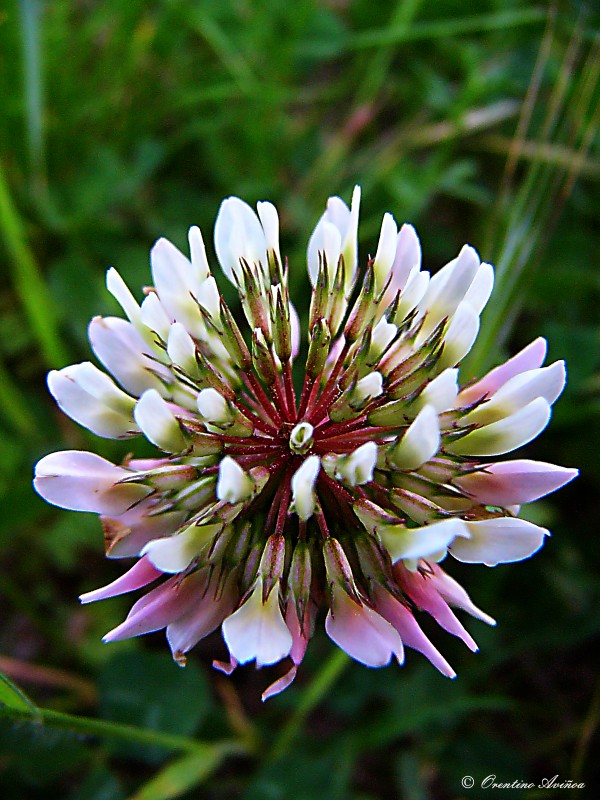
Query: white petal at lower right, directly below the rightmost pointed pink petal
(498,541)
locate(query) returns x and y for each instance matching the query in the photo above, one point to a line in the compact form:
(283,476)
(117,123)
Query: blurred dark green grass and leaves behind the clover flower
(124,121)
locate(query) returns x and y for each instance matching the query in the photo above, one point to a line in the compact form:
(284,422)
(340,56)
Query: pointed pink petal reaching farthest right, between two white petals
(514,482)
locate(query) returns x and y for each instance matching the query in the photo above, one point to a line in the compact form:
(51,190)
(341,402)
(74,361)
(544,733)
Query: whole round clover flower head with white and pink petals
(273,501)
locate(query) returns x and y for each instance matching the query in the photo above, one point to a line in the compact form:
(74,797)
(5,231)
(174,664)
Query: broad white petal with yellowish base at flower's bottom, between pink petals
(258,631)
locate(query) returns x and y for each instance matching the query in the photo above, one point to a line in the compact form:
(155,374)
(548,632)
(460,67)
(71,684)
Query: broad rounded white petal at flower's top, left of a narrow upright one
(238,234)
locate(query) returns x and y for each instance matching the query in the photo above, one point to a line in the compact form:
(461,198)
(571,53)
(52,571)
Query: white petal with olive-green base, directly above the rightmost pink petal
(507,434)
